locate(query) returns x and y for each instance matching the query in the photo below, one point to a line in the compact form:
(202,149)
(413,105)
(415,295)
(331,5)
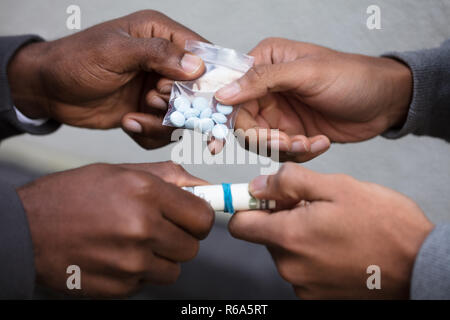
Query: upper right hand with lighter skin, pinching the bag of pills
(313,94)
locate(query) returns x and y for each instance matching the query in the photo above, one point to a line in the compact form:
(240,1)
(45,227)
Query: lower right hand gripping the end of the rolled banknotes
(329,228)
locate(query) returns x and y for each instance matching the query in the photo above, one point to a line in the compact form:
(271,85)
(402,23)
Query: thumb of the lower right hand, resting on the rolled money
(293,183)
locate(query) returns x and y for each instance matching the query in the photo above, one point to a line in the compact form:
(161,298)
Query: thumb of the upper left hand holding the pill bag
(164,57)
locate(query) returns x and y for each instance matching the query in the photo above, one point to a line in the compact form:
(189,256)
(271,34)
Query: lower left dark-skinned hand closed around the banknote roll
(113,222)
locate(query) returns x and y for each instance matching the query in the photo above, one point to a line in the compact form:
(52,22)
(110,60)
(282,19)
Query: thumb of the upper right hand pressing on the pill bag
(262,79)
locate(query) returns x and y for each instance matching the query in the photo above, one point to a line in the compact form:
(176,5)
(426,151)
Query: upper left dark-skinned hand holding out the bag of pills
(103,77)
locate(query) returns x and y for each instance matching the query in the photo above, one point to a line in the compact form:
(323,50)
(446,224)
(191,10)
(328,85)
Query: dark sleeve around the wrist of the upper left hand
(9,124)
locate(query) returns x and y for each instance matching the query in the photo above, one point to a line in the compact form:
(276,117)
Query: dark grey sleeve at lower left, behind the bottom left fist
(17,274)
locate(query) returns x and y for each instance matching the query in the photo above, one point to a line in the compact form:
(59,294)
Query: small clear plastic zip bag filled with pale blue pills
(192,104)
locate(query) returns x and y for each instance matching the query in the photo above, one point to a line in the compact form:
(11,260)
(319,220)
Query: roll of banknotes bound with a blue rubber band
(230,197)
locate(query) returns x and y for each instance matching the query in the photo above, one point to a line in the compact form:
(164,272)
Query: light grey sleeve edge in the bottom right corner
(431,272)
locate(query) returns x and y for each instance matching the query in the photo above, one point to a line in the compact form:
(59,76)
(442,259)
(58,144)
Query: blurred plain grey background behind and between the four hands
(417,167)
